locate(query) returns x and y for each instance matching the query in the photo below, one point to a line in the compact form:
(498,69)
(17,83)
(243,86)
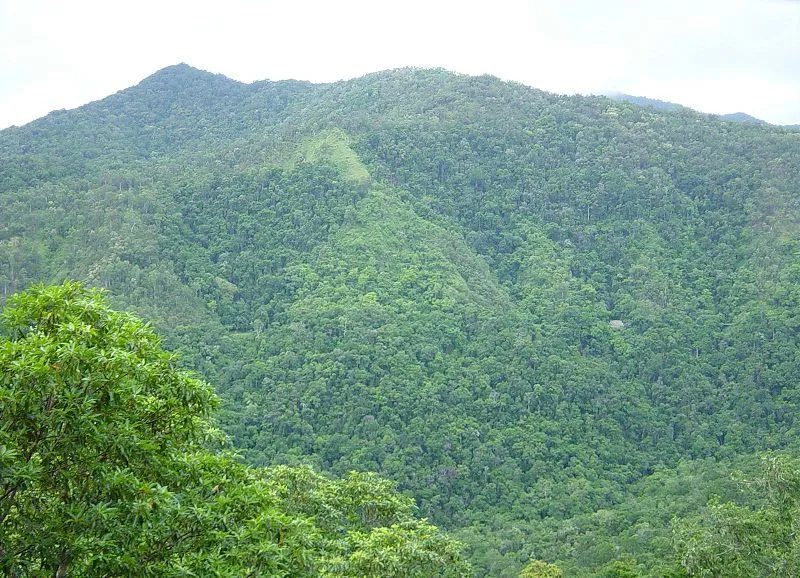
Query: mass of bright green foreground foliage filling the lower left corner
(107,468)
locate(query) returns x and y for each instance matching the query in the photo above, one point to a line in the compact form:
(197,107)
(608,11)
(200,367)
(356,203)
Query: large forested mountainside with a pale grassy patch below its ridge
(556,322)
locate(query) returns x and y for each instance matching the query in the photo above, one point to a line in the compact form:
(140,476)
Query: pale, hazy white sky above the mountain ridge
(713,55)
